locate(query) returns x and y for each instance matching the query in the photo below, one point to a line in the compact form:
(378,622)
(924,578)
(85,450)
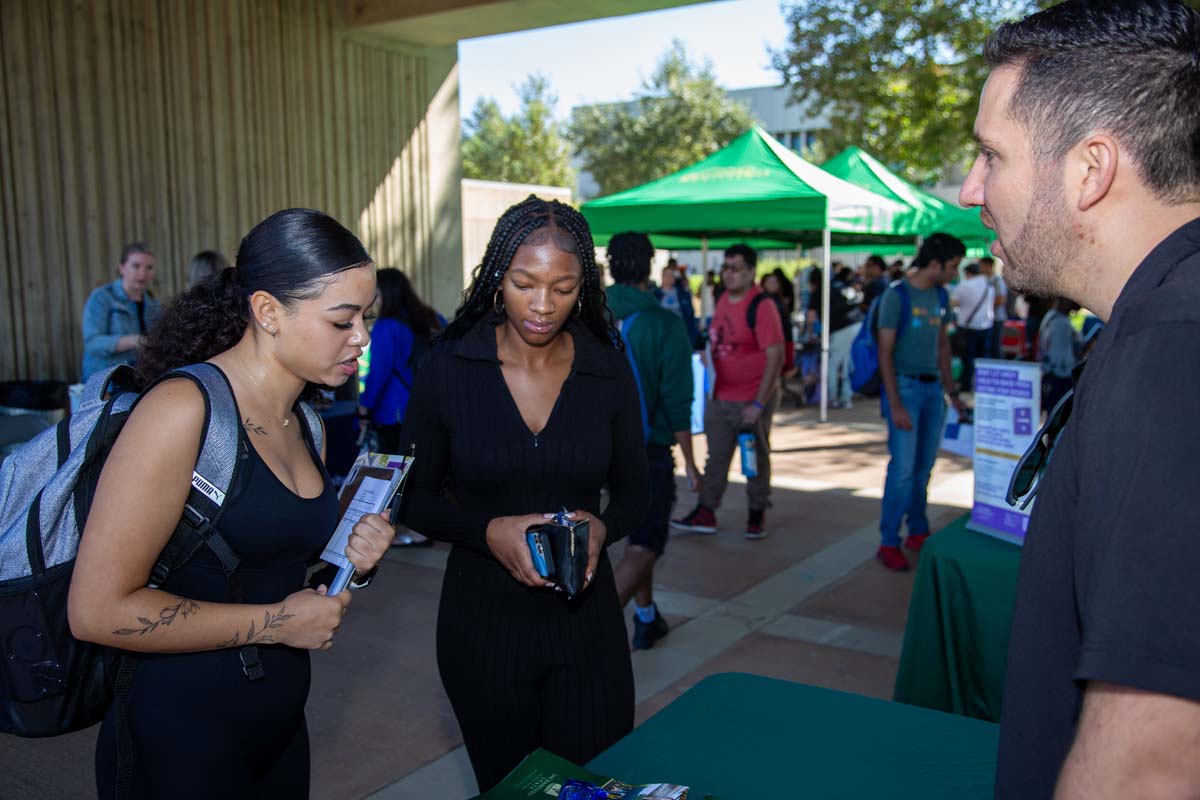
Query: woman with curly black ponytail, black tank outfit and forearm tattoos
(290,316)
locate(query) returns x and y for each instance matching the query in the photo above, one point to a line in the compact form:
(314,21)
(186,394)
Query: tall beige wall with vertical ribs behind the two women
(183,123)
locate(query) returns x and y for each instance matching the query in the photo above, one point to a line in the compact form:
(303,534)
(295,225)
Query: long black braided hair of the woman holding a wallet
(556,222)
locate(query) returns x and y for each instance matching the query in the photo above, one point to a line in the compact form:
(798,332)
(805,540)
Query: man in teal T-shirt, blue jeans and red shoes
(915,370)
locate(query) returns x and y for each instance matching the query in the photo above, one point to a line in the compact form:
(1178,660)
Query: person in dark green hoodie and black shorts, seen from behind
(661,357)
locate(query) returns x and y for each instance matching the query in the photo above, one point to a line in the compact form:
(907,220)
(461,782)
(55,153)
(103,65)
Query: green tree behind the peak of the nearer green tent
(679,117)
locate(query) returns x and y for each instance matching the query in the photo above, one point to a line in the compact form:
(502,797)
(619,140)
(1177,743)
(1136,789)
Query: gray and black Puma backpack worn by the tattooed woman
(52,683)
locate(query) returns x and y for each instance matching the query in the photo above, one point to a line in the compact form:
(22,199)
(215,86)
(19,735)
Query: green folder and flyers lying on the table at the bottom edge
(545,777)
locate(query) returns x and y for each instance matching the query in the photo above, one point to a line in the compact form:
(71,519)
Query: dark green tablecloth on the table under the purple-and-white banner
(956,643)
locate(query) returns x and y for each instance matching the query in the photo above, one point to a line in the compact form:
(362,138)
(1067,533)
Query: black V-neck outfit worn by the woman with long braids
(524,667)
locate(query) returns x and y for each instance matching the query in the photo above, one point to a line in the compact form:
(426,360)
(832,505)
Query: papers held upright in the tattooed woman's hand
(373,486)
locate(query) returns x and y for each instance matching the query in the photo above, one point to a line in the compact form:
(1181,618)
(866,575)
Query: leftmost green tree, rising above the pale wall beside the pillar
(527,148)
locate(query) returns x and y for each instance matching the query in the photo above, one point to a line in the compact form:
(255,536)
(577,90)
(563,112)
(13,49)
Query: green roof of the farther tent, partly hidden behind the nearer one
(860,169)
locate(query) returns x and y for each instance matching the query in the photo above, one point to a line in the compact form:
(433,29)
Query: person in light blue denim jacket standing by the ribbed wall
(118,315)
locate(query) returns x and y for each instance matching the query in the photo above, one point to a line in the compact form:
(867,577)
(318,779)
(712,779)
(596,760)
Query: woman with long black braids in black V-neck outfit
(527,406)
